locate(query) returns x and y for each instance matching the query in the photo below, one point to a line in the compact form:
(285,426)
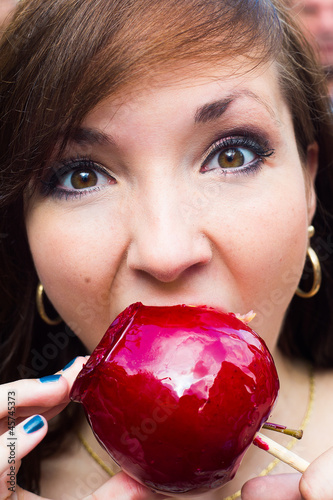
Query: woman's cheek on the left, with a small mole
(77,258)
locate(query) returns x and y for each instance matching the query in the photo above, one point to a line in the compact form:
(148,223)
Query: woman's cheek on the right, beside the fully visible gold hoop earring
(262,244)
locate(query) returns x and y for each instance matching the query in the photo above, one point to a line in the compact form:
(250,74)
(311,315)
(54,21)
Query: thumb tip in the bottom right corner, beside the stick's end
(317,481)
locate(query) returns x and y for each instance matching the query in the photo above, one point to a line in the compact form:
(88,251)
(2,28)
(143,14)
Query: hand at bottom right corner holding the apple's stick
(315,484)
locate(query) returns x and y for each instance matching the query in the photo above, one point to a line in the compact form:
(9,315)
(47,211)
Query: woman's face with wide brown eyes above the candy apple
(186,191)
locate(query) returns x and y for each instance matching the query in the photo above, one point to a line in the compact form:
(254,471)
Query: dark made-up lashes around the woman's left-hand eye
(49,186)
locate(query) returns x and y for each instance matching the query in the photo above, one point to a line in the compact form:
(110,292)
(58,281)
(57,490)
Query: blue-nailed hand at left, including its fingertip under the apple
(33,402)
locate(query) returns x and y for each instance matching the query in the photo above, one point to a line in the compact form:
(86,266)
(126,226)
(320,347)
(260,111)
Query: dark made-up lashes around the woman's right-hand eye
(245,141)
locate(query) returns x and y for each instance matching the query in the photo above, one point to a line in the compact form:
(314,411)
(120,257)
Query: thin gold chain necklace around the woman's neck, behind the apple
(264,472)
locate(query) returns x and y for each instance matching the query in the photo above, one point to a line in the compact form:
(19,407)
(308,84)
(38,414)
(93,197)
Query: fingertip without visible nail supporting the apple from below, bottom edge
(123,487)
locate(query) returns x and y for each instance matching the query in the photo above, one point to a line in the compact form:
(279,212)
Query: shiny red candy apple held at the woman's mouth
(176,394)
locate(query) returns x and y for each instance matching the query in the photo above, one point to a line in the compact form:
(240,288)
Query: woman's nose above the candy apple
(165,244)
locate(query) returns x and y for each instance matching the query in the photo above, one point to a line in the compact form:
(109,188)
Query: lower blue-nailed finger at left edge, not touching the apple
(17,442)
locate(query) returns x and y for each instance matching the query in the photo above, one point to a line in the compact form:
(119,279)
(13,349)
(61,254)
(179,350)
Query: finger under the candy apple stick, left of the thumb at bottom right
(277,487)
